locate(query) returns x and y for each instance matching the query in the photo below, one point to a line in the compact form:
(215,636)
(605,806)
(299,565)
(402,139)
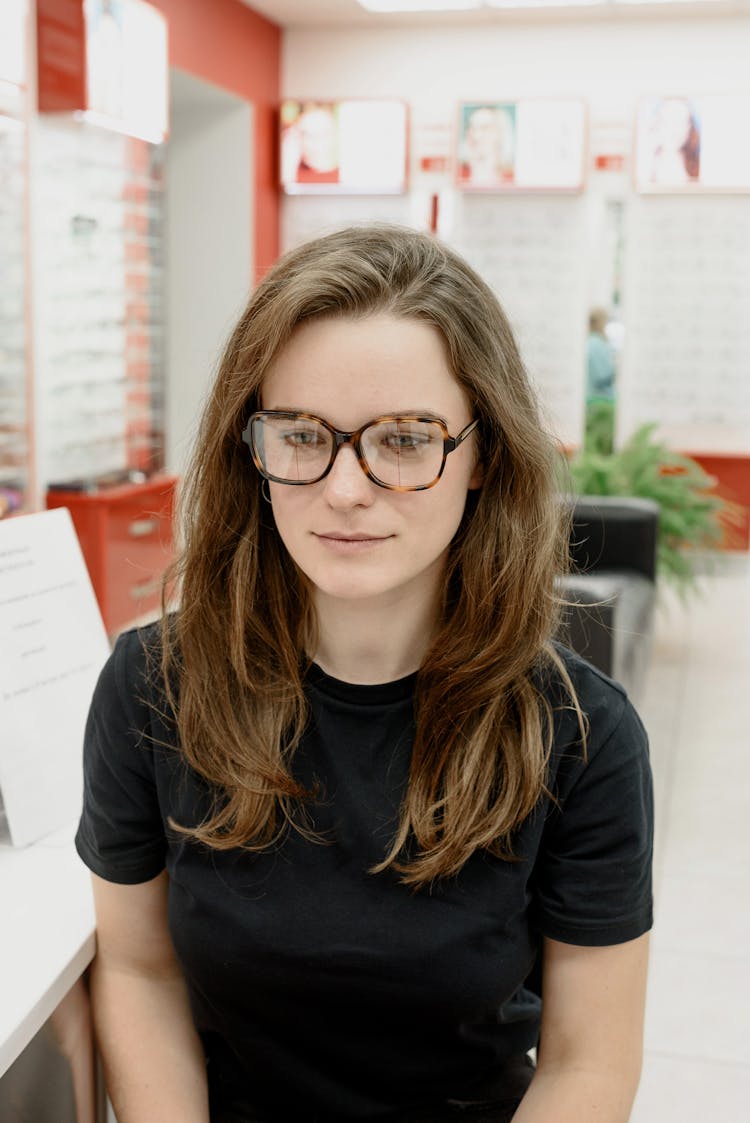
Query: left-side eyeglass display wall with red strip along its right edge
(100,305)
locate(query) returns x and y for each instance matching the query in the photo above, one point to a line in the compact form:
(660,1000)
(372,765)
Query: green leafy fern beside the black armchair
(692,517)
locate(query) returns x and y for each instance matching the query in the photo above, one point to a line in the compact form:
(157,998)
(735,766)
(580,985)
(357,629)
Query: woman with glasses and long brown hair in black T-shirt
(340,802)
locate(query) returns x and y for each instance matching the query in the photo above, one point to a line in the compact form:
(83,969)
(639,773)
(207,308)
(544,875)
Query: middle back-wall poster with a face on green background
(535,144)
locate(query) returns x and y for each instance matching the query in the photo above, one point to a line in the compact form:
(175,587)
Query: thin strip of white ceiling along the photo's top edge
(350,14)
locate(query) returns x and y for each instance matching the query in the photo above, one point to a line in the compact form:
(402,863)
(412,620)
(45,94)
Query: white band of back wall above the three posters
(606,61)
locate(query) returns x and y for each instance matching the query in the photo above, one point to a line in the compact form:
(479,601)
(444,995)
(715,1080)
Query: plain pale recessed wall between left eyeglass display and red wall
(209,244)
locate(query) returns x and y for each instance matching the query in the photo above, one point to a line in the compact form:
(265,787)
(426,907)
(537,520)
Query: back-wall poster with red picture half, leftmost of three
(354,147)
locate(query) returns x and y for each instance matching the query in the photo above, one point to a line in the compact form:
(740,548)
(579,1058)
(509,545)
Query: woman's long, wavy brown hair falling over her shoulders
(235,656)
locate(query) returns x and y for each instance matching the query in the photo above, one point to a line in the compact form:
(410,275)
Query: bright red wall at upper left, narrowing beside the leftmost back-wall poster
(223,42)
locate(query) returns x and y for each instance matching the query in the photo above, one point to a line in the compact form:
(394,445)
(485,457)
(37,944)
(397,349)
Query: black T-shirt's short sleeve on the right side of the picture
(594,870)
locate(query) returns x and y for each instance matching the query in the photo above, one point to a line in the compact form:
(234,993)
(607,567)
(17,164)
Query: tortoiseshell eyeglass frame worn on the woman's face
(354,439)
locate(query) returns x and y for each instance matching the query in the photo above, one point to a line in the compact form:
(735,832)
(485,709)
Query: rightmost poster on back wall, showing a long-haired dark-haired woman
(692,144)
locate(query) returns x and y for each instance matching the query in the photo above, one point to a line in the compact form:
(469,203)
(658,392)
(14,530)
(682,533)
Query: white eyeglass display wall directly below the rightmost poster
(688,295)
